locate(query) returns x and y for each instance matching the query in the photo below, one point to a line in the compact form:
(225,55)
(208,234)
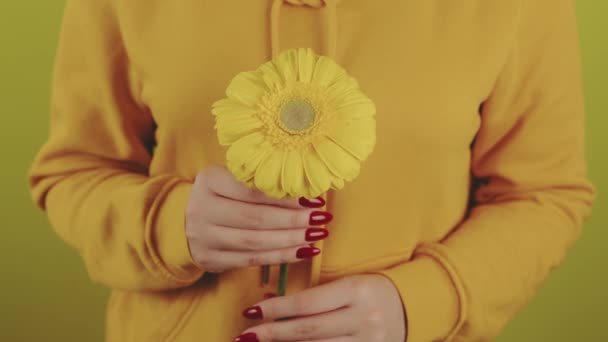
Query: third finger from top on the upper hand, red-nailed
(236,239)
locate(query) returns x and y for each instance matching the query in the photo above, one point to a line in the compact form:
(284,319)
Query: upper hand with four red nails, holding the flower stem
(229,225)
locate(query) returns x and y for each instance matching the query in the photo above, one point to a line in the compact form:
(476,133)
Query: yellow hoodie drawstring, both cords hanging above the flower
(331,17)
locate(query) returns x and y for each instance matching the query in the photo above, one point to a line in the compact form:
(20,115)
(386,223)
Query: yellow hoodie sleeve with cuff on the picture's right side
(529,154)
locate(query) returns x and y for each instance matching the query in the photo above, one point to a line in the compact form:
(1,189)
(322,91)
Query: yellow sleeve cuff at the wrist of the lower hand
(431,297)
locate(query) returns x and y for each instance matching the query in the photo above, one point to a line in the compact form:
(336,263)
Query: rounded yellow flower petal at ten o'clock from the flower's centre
(247,88)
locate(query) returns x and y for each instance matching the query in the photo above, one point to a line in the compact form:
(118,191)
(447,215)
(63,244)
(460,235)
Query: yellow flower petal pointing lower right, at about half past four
(341,163)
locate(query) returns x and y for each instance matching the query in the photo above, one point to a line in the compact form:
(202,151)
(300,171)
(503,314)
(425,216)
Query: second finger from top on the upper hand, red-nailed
(231,213)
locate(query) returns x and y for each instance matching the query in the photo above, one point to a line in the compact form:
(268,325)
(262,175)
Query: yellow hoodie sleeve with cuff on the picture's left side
(91,175)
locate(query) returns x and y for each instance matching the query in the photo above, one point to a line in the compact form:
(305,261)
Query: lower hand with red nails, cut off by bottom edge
(361,308)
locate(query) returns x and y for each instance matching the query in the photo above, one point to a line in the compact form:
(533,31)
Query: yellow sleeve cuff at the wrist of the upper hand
(170,236)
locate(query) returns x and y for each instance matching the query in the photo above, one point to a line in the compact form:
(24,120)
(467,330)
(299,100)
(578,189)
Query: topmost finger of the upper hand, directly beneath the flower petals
(221,182)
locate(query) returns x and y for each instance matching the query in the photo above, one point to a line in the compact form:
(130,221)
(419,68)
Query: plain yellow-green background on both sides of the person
(45,294)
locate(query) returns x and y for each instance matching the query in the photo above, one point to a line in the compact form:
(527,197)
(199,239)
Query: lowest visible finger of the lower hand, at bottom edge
(328,325)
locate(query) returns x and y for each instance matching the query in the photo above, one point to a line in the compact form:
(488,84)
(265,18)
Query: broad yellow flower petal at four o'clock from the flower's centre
(357,137)
